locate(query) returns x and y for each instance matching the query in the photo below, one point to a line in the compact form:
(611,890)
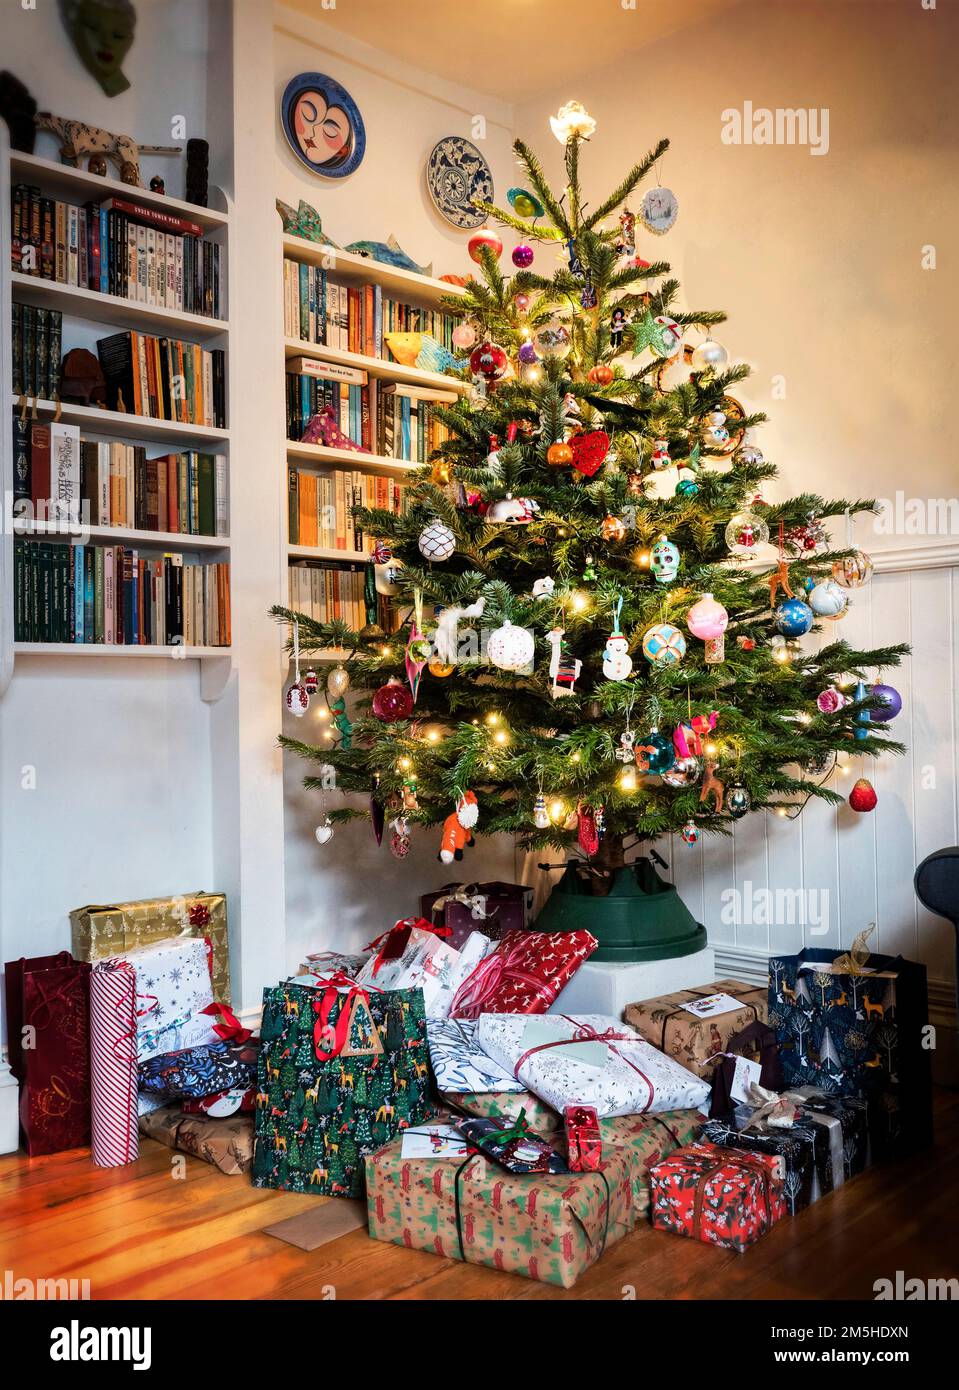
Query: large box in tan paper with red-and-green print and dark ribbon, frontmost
(541,1227)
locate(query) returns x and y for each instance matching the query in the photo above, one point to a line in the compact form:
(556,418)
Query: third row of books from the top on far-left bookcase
(109,483)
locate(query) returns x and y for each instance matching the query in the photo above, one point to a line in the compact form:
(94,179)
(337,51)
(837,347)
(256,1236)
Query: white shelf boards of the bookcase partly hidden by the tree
(407,287)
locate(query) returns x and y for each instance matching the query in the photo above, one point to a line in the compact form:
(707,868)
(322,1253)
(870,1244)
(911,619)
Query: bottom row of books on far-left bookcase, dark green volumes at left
(112,596)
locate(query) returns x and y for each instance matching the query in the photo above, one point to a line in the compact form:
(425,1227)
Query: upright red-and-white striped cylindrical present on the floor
(113,1064)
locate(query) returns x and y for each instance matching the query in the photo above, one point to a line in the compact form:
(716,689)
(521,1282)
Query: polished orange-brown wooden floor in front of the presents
(138,1234)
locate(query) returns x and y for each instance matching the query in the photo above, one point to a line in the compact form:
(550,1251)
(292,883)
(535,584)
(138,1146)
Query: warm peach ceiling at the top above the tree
(511,49)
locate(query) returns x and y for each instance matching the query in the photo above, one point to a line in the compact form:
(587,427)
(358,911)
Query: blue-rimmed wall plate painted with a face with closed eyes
(323,126)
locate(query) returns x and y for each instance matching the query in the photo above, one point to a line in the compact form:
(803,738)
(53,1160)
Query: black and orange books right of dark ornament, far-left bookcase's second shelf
(165,379)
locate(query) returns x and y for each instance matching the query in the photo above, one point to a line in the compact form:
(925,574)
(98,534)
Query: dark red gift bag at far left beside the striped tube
(51,996)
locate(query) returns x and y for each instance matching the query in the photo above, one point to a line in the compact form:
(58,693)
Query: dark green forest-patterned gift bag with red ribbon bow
(343,1070)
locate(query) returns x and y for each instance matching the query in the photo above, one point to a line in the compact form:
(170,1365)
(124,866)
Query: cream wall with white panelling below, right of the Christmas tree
(818,262)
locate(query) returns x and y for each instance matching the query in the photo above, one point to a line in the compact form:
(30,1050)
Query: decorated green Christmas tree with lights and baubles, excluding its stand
(600,612)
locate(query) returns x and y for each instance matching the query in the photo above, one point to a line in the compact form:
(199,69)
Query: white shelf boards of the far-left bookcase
(88,312)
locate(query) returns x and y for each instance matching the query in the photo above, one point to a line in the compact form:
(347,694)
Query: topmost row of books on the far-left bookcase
(117,248)
